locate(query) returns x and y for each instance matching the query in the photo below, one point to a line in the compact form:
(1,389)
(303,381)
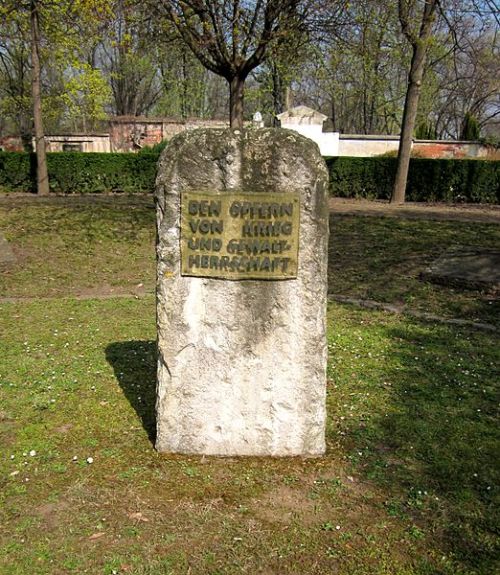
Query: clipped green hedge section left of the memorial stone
(77,172)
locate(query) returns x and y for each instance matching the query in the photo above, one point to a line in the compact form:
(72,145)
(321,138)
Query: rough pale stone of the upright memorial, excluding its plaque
(242,364)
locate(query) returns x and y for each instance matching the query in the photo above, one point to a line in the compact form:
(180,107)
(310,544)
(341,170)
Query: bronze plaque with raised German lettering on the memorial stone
(240,235)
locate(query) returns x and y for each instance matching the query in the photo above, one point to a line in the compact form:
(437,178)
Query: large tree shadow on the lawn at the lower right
(432,438)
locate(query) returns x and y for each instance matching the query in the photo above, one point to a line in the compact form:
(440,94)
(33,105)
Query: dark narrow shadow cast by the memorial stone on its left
(134,364)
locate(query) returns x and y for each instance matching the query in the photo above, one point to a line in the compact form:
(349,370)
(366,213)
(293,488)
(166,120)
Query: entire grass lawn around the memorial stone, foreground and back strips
(409,484)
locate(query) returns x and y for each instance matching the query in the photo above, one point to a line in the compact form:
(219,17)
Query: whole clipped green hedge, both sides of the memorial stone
(428,180)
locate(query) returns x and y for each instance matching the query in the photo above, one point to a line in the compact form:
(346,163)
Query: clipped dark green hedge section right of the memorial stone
(474,181)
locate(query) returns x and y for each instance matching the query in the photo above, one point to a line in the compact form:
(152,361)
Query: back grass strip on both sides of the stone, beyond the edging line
(76,248)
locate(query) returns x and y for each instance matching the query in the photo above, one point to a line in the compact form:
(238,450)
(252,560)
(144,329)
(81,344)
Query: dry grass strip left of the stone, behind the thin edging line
(78,248)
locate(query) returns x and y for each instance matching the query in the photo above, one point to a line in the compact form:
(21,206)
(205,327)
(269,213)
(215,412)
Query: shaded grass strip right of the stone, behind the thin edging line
(380,258)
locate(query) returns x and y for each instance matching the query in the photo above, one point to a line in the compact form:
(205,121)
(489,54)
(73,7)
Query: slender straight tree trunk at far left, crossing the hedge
(42,178)
